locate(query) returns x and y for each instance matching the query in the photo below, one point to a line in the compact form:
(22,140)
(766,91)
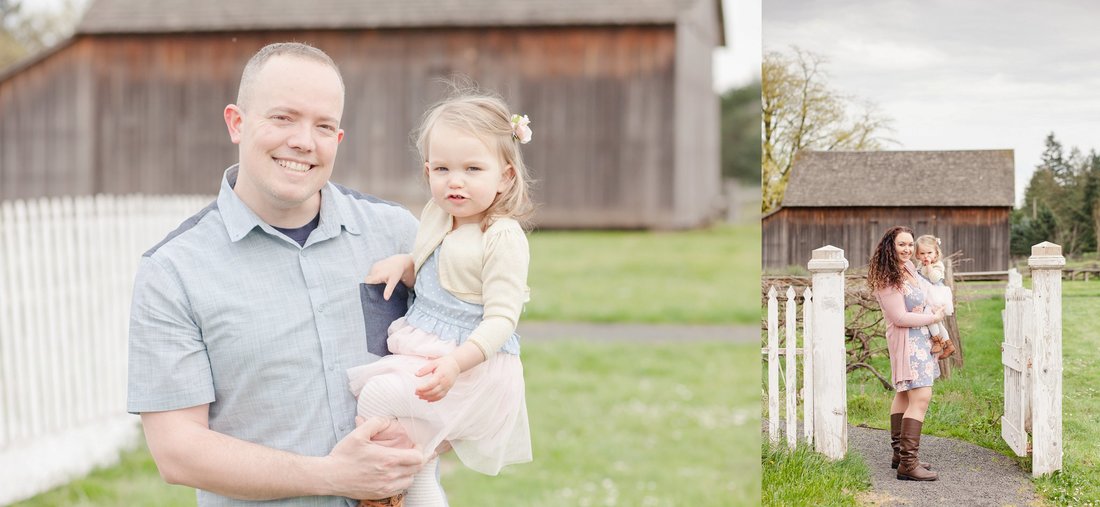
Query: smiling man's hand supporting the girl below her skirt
(364,468)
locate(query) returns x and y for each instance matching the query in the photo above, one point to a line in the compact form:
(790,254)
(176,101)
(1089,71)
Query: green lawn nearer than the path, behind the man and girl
(612,424)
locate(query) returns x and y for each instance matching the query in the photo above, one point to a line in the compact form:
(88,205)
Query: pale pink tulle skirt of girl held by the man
(485,415)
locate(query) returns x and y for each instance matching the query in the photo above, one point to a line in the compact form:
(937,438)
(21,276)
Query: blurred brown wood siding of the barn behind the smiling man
(144,114)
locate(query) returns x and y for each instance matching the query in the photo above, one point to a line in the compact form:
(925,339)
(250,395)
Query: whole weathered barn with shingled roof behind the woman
(849,200)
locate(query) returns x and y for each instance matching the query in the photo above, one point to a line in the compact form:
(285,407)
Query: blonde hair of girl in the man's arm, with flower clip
(488,118)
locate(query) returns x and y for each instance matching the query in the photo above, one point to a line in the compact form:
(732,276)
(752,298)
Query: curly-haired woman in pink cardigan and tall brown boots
(893,278)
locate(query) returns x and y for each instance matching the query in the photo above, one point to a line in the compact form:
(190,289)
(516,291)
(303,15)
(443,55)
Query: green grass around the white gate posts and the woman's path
(969,406)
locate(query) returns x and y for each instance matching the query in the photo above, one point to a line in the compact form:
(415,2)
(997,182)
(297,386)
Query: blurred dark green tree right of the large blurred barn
(741,135)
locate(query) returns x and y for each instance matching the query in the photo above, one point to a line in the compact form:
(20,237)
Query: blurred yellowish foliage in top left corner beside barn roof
(25,32)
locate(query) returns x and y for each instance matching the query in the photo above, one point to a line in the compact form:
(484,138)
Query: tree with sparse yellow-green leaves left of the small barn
(801,113)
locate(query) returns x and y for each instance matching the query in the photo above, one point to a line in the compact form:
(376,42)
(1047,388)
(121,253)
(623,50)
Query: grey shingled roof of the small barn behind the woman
(980,178)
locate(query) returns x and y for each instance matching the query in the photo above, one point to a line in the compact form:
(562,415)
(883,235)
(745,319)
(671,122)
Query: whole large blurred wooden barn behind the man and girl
(620,94)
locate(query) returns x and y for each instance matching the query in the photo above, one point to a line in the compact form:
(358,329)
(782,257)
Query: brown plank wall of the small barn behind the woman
(790,235)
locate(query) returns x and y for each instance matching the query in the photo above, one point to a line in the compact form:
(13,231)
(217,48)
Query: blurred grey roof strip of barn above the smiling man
(217,16)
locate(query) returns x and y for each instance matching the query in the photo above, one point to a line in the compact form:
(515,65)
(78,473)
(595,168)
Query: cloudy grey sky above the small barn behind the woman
(960,75)
